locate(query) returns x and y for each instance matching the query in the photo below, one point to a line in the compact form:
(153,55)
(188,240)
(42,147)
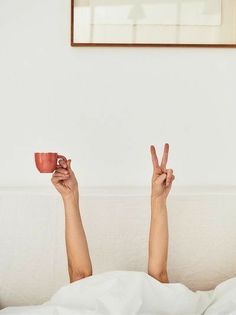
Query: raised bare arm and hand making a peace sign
(162,179)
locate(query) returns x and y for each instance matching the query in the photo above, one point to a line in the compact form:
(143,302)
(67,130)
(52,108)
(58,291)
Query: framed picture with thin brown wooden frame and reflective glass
(210,23)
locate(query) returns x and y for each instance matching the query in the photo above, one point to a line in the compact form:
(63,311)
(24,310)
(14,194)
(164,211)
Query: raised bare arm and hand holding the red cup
(79,263)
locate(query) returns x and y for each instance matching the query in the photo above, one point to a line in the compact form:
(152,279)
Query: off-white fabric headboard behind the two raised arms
(202,227)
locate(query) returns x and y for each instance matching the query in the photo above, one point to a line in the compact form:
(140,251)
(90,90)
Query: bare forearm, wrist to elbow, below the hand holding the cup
(79,263)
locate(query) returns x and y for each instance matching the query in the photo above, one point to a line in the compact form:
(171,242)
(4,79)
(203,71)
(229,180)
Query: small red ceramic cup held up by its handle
(47,162)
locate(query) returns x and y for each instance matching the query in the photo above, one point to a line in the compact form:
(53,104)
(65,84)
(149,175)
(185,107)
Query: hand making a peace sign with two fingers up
(162,177)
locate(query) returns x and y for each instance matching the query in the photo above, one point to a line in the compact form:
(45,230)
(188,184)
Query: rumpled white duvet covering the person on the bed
(130,292)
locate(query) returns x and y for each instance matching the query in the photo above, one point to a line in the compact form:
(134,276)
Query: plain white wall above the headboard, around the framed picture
(104,106)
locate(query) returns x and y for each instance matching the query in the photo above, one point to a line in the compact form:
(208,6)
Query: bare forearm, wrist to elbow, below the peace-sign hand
(158,240)
